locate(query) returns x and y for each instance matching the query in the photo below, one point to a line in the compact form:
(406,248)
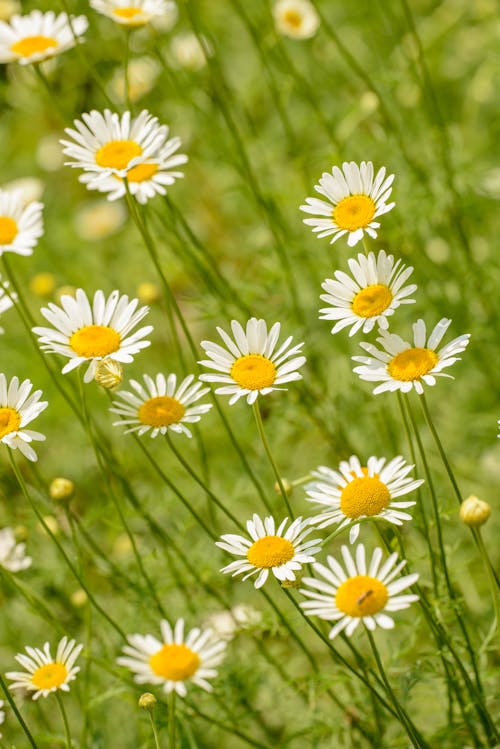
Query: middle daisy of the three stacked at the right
(370,297)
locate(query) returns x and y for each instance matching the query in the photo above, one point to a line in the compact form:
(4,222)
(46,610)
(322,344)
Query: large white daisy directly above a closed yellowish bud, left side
(86,333)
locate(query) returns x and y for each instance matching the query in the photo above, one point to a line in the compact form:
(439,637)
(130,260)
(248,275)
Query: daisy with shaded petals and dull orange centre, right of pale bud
(160,405)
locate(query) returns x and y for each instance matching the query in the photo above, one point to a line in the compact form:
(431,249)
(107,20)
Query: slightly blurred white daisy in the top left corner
(38,36)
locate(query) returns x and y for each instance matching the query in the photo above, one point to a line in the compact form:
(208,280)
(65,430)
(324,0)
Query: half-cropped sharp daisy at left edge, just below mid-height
(18,408)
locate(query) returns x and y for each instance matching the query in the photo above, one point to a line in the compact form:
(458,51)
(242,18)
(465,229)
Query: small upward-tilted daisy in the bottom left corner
(45,674)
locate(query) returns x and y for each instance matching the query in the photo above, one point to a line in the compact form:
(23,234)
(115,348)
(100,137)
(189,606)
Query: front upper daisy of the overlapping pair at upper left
(108,144)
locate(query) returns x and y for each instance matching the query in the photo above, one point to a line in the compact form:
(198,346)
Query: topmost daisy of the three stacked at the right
(355,198)
